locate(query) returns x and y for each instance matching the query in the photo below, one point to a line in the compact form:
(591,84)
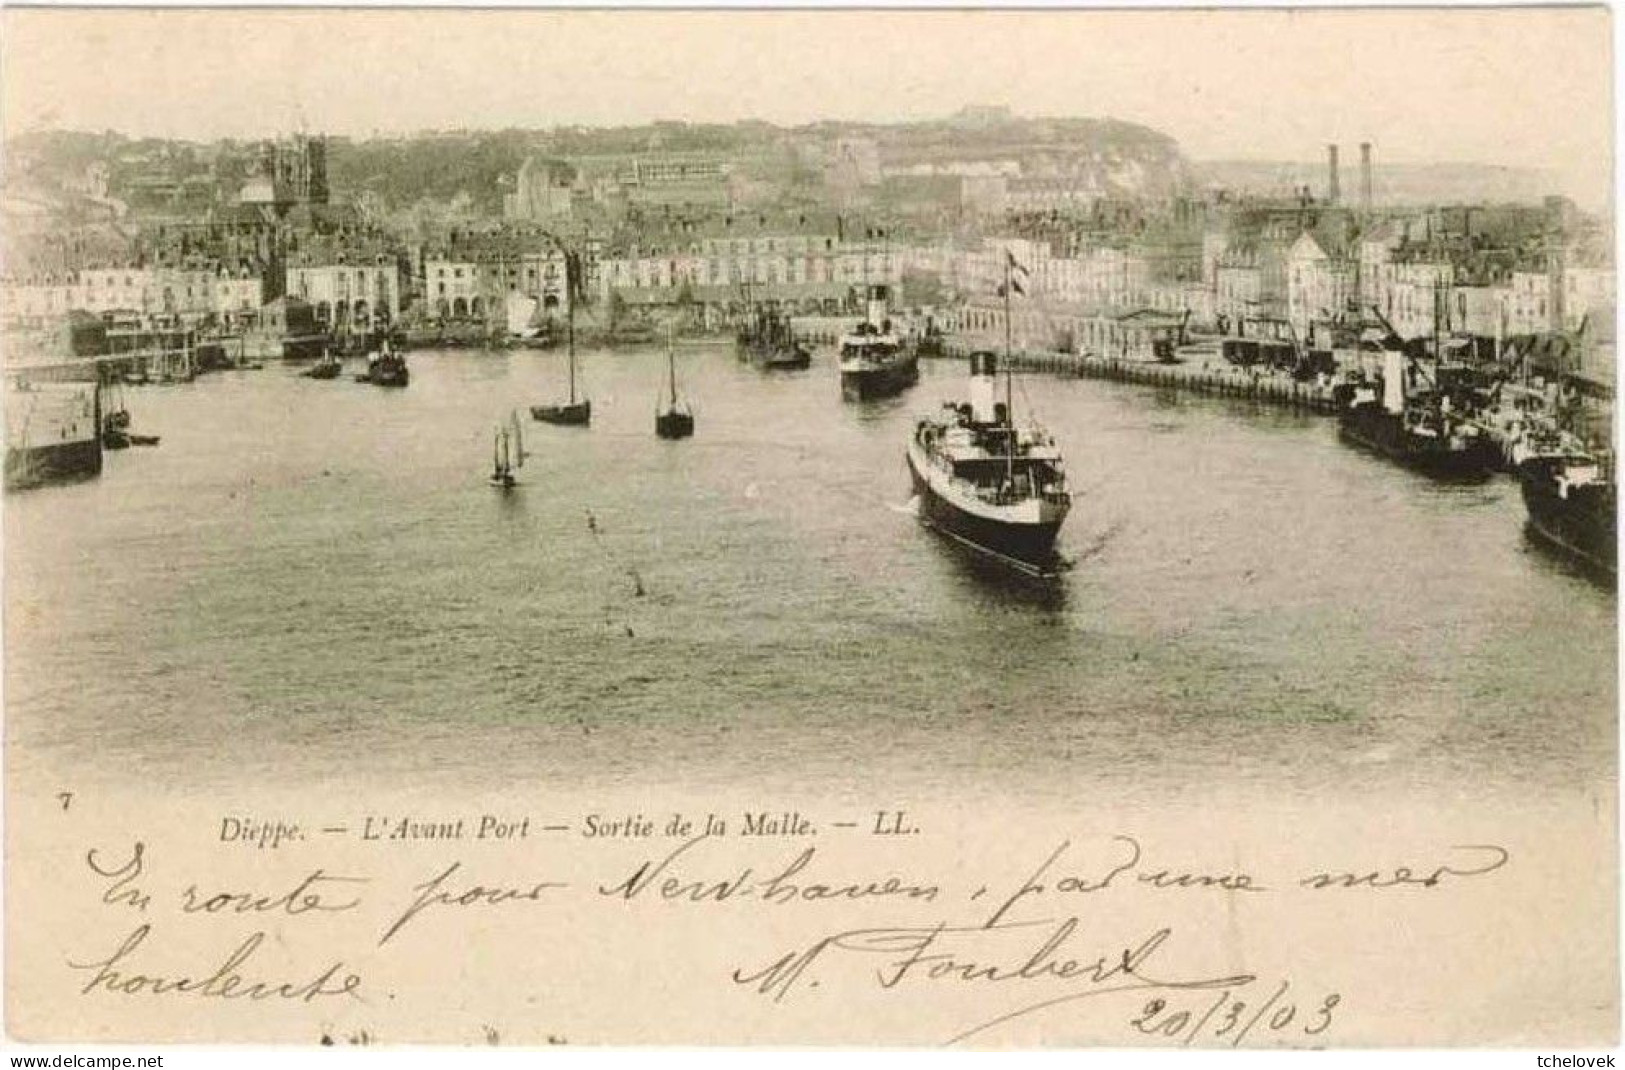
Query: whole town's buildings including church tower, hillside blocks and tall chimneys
(1307,264)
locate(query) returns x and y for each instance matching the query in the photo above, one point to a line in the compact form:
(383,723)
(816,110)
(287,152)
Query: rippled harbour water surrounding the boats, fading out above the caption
(313,581)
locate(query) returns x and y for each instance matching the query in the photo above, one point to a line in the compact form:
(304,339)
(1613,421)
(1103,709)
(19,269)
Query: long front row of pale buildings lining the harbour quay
(1312,284)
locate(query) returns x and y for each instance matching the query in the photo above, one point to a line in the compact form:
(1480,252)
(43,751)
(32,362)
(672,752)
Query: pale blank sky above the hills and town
(1514,87)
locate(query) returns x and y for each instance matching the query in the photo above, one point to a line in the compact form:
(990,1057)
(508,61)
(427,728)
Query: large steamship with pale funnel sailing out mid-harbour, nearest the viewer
(987,484)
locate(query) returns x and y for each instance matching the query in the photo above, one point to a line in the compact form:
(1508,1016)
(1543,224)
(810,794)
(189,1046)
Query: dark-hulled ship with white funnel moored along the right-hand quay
(1431,430)
